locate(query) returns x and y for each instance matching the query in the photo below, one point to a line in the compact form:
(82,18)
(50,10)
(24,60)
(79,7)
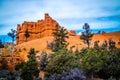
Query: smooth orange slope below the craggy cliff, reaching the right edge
(41,44)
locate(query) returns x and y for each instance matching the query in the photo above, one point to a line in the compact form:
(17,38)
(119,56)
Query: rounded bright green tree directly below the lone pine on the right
(91,62)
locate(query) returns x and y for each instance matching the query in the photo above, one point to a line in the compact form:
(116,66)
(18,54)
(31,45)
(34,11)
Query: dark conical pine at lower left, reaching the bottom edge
(30,69)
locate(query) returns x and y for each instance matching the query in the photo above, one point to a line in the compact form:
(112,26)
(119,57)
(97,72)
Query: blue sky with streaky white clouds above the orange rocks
(71,14)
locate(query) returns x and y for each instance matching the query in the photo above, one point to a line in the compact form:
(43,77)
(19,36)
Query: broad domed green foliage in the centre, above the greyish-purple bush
(64,60)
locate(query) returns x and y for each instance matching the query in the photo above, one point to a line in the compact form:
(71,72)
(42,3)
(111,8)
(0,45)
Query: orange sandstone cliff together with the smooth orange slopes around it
(41,34)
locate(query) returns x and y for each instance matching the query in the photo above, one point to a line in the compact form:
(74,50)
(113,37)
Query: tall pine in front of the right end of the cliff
(60,36)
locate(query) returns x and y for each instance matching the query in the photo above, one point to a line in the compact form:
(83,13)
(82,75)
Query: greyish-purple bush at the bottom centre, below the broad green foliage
(73,74)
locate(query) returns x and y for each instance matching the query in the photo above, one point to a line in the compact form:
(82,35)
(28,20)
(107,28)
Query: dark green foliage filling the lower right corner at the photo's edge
(111,66)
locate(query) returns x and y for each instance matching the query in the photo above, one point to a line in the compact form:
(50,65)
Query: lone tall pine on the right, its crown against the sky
(86,35)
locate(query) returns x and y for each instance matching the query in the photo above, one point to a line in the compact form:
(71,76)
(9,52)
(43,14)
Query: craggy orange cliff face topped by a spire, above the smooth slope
(36,30)
